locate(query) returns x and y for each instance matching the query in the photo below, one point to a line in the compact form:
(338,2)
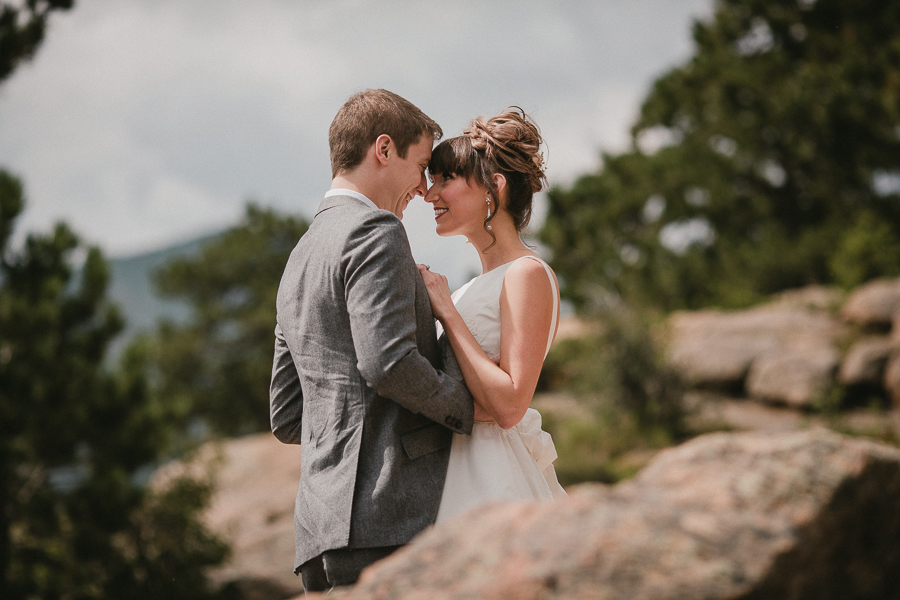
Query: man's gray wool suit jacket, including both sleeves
(354,382)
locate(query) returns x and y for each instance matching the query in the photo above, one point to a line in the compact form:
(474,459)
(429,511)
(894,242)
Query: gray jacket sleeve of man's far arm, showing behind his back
(285,394)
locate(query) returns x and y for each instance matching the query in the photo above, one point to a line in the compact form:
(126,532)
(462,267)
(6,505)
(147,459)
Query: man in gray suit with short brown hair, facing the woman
(355,377)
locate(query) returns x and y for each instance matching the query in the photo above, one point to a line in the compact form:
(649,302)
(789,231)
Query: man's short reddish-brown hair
(371,113)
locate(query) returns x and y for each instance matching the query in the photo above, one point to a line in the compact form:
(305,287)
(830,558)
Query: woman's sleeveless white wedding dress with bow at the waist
(493,463)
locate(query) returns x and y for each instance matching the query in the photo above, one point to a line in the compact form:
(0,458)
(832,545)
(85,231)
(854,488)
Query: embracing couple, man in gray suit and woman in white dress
(402,422)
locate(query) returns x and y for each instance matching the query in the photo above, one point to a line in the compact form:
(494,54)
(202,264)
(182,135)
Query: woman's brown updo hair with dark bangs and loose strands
(509,144)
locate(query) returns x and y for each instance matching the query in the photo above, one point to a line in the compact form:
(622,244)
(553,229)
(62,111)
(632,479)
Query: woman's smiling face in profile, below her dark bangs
(459,207)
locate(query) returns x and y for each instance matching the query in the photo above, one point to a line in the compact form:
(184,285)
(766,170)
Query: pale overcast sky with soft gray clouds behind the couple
(142,123)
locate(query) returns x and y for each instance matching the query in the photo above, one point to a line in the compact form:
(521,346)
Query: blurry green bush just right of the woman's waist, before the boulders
(633,398)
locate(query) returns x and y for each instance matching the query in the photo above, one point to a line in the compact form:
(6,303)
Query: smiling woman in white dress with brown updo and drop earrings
(501,324)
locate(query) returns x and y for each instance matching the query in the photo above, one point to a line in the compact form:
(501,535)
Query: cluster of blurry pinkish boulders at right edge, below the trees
(794,349)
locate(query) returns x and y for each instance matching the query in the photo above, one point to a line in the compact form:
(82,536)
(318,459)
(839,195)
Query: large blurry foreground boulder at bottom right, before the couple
(802,515)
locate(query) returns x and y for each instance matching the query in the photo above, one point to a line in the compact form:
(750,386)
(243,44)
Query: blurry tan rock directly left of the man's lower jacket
(252,508)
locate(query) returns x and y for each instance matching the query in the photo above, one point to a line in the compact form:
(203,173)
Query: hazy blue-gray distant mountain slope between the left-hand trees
(132,288)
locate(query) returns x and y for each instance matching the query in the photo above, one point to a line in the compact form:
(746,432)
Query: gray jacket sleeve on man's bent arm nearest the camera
(379,283)
